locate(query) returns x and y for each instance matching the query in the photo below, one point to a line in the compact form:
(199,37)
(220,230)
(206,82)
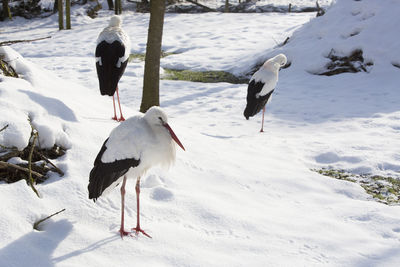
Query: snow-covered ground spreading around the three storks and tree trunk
(235,197)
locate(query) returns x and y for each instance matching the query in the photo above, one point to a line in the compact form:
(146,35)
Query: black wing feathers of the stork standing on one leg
(255,104)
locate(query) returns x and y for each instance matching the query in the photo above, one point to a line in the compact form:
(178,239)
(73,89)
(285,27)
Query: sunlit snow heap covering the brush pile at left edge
(46,114)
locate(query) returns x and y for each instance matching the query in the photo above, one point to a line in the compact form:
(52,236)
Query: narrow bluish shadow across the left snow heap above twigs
(53,106)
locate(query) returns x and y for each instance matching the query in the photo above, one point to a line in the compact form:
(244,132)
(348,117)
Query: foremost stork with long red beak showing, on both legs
(133,147)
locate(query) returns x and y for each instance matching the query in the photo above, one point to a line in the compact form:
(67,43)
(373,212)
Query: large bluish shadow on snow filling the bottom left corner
(36,248)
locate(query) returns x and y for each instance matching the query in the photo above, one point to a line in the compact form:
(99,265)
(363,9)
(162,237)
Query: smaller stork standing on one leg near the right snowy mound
(262,85)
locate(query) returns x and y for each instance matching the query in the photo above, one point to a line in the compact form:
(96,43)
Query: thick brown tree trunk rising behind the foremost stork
(151,79)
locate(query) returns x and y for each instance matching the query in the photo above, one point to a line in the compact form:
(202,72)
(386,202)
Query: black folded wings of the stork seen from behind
(107,71)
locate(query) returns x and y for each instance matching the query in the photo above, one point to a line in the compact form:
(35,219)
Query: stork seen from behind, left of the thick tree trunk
(112,54)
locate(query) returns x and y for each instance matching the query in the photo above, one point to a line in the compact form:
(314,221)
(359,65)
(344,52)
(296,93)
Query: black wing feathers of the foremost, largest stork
(104,174)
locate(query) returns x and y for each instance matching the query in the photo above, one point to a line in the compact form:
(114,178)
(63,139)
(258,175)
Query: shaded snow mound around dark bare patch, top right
(348,26)
